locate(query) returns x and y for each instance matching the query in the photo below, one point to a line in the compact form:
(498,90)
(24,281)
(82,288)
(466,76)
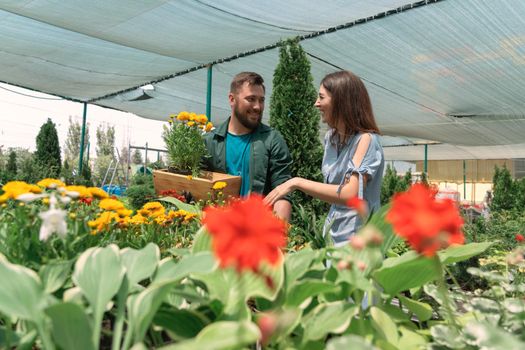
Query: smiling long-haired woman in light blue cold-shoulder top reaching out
(353,159)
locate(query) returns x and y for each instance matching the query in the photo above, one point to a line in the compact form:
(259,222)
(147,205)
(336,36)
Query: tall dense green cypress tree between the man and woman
(293,114)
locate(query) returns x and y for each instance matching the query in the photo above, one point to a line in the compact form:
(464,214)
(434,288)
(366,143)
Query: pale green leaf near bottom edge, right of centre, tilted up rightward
(328,318)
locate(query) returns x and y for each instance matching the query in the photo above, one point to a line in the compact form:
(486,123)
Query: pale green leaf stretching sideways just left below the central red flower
(169,270)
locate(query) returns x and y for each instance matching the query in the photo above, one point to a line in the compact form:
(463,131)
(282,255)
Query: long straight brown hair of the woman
(350,102)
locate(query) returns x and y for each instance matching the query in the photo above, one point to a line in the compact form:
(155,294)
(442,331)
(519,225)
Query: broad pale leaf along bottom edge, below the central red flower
(221,335)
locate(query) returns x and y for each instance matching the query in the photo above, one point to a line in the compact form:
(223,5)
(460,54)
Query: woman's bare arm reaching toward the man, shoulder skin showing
(322,191)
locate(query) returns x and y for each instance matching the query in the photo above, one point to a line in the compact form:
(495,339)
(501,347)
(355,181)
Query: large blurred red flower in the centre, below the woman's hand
(245,233)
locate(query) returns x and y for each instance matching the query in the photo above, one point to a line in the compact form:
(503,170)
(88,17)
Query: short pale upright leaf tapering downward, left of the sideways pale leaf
(140,264)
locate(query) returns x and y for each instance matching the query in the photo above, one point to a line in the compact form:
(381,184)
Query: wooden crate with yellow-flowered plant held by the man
(186,149)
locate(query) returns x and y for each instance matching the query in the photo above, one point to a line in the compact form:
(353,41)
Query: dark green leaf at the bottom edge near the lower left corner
(71,327)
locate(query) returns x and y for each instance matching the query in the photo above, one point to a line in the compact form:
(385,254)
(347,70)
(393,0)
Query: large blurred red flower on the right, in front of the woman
(426,223)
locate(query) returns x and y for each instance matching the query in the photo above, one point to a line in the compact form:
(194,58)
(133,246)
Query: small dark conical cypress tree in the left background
(48,148)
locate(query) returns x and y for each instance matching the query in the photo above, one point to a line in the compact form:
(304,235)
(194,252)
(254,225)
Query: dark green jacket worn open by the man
(270,160)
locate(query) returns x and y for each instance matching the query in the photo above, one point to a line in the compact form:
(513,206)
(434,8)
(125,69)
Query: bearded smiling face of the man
(248,105)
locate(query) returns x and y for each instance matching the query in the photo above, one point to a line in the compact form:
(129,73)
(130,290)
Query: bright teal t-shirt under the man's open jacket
(238,159)
